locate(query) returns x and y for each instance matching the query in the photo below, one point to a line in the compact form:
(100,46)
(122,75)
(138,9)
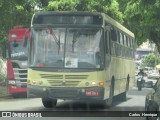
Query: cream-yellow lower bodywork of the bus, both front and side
(120,73)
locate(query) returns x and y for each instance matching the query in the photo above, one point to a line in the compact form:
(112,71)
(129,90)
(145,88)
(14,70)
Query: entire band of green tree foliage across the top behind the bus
(140,16)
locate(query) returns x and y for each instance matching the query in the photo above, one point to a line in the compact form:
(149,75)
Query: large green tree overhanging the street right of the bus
(142,17)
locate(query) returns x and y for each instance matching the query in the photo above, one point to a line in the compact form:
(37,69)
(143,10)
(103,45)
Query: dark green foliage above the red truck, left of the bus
(13,12)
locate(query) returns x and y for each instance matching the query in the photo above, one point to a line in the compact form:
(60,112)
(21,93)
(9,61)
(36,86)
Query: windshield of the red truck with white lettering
(18,52)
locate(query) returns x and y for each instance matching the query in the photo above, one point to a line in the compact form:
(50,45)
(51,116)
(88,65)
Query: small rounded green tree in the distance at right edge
(150,60)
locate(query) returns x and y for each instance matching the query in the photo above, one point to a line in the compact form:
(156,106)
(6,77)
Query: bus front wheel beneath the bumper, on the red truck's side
(49,103)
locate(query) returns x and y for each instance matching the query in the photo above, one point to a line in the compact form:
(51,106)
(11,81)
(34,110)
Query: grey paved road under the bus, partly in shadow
(135,102)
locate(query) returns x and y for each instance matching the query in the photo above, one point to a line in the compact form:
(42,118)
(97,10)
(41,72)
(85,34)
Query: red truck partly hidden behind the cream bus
(17,62)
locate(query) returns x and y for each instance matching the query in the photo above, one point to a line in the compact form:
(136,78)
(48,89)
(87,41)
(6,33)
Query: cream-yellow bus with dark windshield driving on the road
(79,56)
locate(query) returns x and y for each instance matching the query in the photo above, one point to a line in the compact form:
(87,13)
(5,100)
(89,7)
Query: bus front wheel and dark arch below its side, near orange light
(109,101)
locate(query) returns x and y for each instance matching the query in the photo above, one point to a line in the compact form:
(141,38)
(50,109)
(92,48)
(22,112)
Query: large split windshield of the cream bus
(67,47)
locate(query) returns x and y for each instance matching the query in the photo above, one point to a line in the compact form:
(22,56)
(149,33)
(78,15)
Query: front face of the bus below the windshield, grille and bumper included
(74,83)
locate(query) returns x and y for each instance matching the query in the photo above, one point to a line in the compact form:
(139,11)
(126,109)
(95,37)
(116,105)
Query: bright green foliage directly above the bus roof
(106,6)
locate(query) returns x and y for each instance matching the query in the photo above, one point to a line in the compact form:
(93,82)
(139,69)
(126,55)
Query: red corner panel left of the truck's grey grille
(10,70)
